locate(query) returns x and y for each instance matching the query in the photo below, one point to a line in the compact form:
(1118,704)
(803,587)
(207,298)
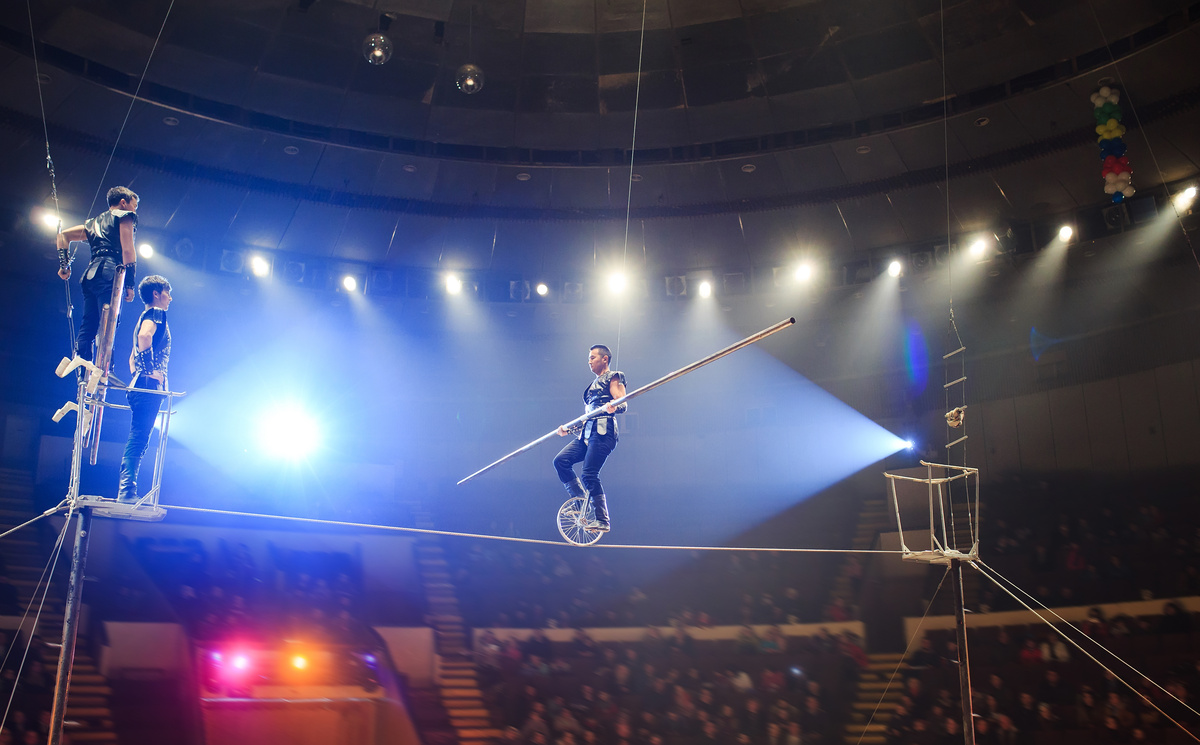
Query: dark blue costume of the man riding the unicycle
(593,447)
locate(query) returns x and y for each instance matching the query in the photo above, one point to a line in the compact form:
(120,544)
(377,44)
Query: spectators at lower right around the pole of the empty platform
(1030,687)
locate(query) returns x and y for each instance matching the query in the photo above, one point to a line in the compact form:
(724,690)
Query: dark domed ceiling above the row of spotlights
(764,128)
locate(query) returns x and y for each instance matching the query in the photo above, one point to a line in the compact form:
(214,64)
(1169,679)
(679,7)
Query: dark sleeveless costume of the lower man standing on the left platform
(145,407)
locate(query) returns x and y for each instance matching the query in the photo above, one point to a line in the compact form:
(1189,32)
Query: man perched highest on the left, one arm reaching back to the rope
(111,239)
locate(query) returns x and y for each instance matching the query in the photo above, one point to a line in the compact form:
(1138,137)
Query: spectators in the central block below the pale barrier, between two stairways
(760,689)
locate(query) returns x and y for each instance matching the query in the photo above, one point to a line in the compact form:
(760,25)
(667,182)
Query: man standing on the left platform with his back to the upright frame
(148,363)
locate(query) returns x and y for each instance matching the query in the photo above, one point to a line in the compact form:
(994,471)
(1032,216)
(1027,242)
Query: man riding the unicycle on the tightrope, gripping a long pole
(598,437)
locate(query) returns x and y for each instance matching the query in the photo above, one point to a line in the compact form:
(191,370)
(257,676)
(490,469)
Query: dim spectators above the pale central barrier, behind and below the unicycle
(512,587)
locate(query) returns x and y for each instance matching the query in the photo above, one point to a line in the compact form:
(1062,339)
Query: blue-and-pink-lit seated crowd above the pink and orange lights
(309,596)
